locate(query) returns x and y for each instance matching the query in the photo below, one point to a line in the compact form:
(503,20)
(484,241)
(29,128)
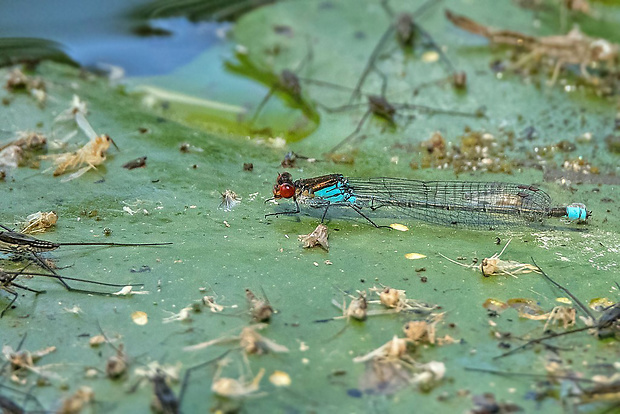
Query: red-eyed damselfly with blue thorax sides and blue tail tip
(478,205)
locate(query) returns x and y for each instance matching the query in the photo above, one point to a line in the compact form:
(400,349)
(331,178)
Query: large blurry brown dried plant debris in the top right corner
(574,48)
